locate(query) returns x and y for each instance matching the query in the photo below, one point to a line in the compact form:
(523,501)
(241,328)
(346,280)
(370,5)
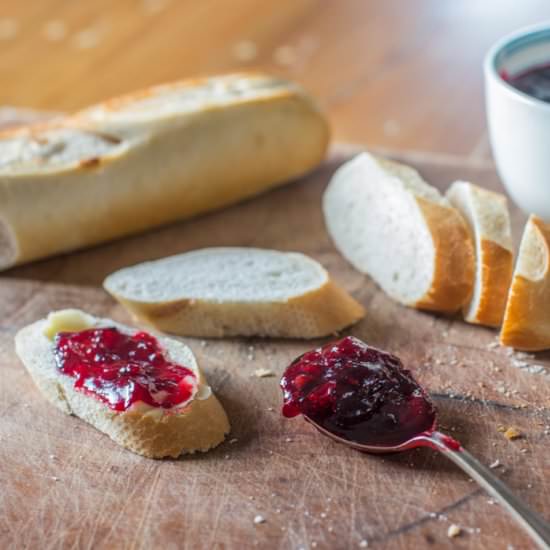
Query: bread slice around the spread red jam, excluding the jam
(196,425)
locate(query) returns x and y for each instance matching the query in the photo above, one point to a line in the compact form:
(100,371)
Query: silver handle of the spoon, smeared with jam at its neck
(537,527)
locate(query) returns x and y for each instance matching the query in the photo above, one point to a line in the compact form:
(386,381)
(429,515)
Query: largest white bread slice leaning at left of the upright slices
(389,223)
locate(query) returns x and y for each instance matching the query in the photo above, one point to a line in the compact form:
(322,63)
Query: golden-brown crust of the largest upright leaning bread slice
(454,258)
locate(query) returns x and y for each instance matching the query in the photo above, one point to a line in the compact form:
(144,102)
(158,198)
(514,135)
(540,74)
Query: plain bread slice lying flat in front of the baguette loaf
(216,292)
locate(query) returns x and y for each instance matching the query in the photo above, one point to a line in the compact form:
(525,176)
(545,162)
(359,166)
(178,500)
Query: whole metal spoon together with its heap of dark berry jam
(363,397)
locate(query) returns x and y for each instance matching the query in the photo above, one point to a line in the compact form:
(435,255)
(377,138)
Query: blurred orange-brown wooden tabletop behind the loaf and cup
(400,74)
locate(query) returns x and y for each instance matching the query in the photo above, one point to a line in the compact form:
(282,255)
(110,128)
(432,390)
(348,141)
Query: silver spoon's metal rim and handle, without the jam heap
(538,528)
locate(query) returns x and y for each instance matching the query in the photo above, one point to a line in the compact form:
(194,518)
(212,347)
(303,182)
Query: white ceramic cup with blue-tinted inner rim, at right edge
(519,124)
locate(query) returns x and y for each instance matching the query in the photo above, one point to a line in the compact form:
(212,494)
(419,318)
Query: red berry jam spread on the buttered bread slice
(121,369)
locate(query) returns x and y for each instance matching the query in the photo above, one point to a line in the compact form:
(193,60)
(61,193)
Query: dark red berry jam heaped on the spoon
(357,393)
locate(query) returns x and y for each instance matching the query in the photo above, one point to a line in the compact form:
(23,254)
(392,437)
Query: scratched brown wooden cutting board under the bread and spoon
(65,485)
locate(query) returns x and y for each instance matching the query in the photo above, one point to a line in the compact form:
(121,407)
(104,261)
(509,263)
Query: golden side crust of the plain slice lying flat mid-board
(318,313)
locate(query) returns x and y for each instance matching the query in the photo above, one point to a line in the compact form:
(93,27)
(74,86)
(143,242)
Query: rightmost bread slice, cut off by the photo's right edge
(526,323)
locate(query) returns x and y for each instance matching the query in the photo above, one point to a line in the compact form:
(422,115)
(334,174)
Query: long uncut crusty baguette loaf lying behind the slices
(149,158)
